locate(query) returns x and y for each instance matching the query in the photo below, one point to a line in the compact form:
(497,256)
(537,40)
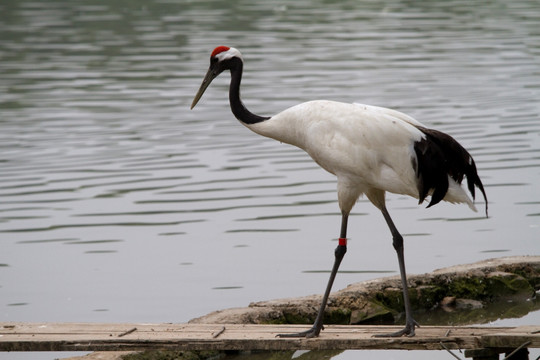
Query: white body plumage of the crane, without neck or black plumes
(370,149)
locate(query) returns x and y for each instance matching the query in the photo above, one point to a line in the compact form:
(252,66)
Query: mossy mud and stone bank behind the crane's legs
(458,295)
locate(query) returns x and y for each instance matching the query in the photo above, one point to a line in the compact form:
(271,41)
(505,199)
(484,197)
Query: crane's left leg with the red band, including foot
(339,253)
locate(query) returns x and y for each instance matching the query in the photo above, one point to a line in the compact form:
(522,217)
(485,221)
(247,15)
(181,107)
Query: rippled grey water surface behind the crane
(98,148)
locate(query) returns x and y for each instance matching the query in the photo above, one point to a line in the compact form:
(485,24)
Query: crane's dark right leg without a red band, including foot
(410,323)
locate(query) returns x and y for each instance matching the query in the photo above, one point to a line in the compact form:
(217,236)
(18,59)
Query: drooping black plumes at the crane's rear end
(439,156)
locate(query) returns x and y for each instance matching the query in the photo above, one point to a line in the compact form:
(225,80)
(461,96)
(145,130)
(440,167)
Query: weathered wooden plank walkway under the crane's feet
(115,337)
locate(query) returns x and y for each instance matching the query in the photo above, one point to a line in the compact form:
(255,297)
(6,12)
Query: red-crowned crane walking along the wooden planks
(371,150)
